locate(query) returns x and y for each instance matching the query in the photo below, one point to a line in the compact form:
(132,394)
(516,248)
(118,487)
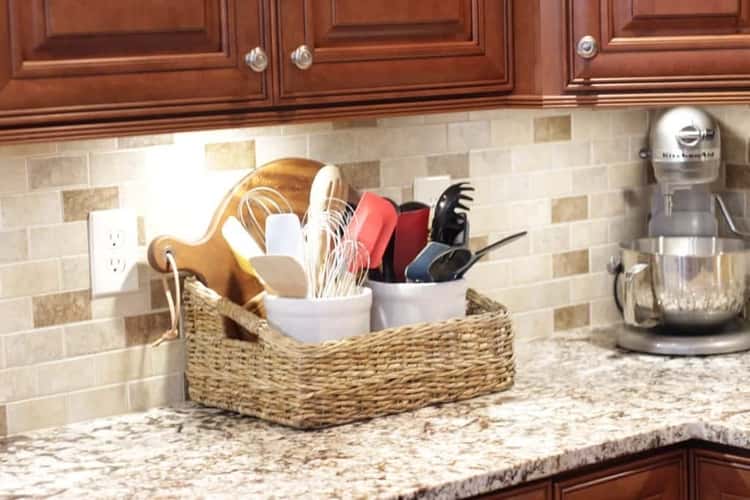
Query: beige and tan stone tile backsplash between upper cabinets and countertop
(572,178)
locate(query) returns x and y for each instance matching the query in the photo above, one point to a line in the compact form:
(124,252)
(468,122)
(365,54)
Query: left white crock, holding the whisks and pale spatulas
(313,320)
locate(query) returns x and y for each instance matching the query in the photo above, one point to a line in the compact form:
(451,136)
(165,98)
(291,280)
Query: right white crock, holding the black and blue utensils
(398,304)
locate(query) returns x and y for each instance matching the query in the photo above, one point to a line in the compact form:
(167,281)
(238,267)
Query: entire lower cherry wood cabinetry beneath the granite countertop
(694,471)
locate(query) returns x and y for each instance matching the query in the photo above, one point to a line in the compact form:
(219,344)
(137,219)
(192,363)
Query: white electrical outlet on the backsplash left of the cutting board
(113,241)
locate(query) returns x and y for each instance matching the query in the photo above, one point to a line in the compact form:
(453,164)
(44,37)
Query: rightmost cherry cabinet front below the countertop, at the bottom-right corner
(720,476)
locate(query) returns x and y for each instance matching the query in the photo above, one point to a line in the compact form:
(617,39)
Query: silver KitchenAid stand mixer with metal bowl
(682,290)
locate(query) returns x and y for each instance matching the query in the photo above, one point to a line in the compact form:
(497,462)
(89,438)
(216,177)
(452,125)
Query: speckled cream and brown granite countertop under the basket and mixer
(577,400)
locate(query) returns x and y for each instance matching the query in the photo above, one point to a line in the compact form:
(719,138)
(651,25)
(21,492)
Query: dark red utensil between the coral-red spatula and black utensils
(410,236)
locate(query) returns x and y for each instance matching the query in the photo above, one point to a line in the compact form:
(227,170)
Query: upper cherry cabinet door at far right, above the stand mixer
(658,44)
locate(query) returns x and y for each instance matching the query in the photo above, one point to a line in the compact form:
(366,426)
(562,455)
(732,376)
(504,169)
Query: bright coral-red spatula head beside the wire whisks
(372,225)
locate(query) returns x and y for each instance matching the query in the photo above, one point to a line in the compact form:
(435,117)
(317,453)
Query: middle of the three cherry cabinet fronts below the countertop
(662,477)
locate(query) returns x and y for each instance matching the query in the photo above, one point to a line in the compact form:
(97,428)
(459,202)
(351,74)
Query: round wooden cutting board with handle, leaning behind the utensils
(210,258)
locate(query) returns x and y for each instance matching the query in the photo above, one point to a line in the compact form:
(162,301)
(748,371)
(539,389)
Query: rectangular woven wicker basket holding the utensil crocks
(308,386)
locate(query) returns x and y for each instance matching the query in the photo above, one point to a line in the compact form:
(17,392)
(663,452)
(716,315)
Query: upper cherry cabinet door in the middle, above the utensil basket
(390,49)
